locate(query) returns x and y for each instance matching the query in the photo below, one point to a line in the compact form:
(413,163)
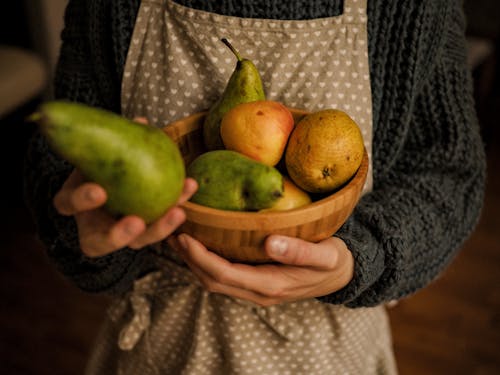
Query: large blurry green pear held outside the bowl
(139,166)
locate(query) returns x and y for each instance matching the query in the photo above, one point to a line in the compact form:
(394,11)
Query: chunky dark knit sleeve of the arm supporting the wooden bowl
(425,206)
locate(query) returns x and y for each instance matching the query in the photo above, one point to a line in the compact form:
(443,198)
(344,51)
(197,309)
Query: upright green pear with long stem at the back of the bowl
(244,85)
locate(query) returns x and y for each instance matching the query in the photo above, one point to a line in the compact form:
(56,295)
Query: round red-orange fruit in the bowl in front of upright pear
(258,129)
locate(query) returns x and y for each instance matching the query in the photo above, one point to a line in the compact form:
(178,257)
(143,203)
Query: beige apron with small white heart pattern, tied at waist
(169,324)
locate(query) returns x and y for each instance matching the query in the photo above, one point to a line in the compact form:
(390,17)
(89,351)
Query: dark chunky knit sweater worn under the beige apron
(428,159)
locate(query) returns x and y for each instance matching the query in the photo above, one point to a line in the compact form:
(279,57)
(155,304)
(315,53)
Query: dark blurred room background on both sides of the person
(47,326)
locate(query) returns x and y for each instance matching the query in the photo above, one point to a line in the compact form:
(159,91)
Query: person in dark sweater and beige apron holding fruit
(398,67)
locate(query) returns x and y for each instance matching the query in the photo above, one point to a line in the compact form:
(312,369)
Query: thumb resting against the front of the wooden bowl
(297,252)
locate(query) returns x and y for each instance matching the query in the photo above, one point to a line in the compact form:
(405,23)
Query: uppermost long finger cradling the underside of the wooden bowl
(266,280)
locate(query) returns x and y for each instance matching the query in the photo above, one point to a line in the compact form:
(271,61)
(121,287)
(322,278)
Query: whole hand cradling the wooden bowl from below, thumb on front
(305,269)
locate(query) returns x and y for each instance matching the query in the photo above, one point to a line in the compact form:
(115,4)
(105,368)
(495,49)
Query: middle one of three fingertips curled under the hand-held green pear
(111,237)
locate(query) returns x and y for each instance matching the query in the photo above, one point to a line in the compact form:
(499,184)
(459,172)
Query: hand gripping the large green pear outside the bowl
(99,233)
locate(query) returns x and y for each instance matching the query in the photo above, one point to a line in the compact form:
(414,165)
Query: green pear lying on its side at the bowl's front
(228,180)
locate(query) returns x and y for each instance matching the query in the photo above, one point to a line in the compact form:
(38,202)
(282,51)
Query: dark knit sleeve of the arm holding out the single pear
(45,172)
